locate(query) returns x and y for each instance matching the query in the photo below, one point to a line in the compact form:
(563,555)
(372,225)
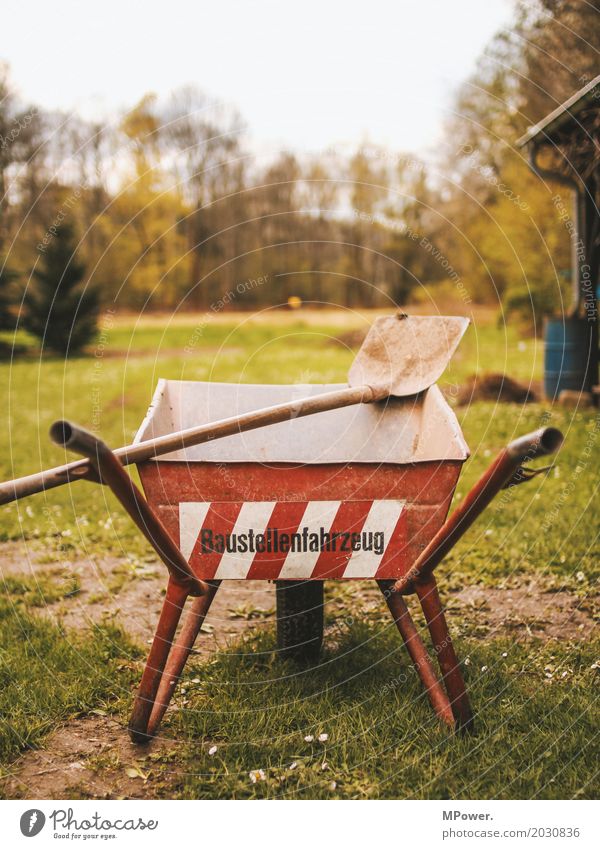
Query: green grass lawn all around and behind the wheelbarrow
(383,741)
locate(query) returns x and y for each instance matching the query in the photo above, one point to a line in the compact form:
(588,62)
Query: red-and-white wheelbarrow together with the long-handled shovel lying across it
(359,492)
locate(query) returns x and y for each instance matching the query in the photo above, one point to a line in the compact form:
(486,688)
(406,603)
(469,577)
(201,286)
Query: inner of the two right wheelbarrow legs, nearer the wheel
(418,652)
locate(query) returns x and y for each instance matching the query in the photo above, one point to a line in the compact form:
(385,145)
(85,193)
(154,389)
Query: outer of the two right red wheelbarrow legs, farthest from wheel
(428,595)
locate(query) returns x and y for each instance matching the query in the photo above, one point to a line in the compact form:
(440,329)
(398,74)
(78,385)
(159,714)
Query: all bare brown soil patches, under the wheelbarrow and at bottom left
(93,757)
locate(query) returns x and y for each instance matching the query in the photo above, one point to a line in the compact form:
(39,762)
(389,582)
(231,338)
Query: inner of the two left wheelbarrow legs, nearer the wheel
(179,655)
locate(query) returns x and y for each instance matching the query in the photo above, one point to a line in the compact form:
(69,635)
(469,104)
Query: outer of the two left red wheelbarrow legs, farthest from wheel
(161,645)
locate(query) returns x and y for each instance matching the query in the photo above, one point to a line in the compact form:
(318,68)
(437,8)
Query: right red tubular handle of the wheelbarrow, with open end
(502,473)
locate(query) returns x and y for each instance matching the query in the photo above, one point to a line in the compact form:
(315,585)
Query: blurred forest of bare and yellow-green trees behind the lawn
(168,207)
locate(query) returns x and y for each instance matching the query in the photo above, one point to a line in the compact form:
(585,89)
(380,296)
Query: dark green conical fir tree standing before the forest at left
(58,308)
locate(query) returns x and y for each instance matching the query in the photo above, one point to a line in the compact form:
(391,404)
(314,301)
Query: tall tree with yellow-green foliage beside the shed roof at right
(512,245)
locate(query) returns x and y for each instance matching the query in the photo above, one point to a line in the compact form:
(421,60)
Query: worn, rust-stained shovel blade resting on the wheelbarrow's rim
(403,355)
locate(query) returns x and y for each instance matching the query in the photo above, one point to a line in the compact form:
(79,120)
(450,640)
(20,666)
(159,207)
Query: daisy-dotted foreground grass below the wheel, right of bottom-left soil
(383,741)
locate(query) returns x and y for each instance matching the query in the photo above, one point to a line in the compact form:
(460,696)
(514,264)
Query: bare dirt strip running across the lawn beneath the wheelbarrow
(111,589)
